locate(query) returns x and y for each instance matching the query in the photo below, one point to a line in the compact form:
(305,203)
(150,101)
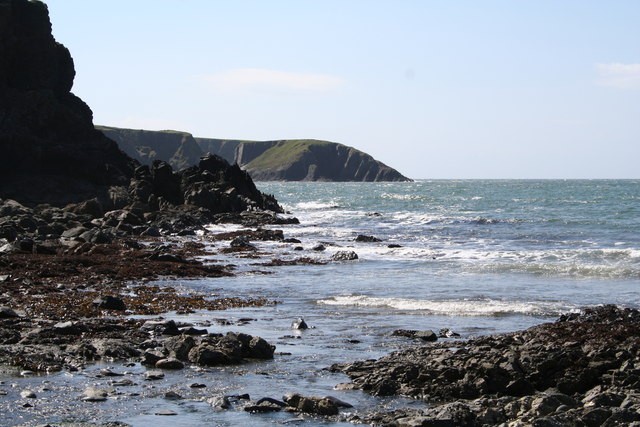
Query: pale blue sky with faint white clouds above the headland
(435,89)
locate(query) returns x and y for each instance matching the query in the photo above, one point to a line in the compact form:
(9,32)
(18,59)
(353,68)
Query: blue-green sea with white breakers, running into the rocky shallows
(475,257)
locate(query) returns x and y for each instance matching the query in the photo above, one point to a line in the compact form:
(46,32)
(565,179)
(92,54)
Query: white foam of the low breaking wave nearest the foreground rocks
(484,307)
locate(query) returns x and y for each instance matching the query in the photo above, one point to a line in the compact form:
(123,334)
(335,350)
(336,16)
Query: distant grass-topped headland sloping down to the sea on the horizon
(284,160)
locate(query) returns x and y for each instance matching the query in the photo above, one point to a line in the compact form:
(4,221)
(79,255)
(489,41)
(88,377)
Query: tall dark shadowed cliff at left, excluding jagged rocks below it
(50,151)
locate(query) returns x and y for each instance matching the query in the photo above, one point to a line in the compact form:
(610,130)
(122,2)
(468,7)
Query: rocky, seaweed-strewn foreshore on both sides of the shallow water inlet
(57,339)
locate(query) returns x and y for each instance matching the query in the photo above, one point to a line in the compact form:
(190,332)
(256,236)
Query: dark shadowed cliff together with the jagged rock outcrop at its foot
(51,153)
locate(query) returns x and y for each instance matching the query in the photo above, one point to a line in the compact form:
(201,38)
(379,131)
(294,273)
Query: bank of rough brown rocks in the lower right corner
(581,370)
